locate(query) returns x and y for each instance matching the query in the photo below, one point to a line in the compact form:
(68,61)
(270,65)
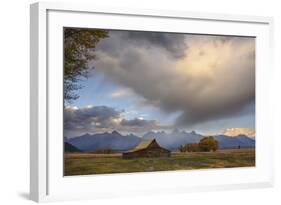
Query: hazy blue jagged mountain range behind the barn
(172,141)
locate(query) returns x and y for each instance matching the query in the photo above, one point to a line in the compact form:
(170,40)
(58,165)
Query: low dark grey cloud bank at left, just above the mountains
(95,119)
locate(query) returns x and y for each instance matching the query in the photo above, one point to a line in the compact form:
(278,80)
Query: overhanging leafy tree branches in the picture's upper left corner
(79,47)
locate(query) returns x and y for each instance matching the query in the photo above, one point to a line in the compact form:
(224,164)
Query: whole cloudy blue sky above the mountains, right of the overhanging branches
(145,81)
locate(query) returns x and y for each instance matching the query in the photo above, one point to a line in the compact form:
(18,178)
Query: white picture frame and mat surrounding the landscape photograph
(47,182)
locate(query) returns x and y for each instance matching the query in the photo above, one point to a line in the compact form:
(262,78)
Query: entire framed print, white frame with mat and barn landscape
(120,97)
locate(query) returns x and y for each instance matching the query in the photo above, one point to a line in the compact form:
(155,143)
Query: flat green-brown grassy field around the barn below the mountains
(85,164)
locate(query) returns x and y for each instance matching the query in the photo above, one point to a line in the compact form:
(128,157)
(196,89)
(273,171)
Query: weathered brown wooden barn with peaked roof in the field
(147,148)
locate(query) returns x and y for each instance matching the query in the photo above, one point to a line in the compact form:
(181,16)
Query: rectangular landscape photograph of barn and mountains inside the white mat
(146,101)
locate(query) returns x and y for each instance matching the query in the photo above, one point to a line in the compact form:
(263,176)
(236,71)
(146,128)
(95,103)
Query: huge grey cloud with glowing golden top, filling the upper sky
(205,78)
